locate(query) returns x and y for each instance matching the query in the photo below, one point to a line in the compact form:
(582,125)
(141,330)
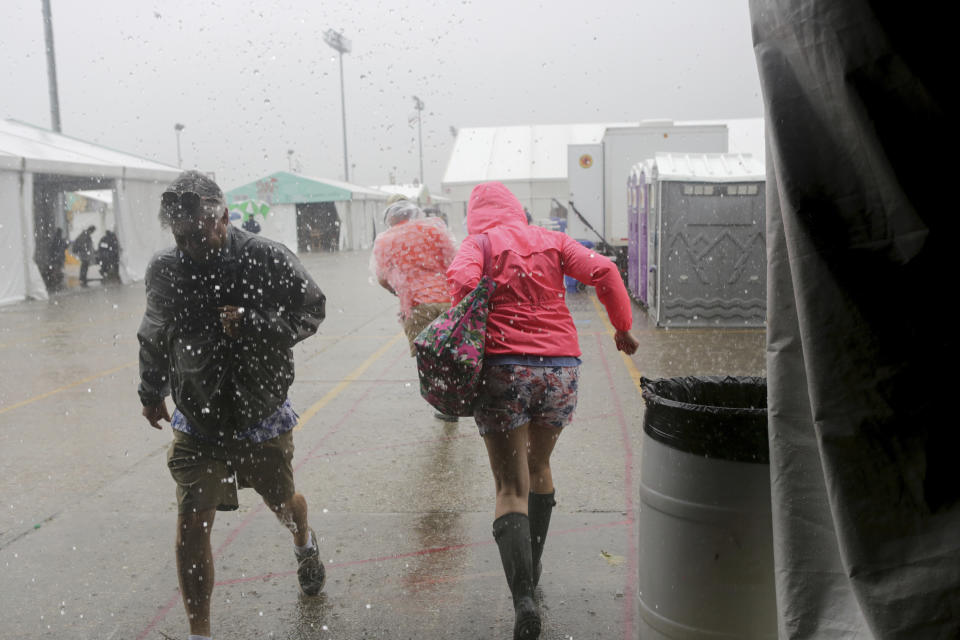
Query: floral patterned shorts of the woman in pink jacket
(514,395)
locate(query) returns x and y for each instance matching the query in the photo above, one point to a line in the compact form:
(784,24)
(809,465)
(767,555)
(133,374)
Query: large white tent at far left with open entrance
(37,167)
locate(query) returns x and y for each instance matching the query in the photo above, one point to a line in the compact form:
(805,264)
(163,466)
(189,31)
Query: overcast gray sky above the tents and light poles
(252,79)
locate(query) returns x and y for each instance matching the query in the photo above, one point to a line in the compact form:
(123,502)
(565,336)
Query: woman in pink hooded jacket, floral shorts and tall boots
(531,369)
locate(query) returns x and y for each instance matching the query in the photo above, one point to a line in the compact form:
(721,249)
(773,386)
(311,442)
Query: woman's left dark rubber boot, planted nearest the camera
(512,533)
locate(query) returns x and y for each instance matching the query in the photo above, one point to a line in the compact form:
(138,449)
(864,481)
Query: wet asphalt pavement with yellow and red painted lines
(402,502)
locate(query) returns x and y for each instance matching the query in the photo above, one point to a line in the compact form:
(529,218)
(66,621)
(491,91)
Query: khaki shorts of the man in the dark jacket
(209,475)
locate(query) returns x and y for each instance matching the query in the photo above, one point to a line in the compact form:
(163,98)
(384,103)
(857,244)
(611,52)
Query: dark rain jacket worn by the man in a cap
(223,384)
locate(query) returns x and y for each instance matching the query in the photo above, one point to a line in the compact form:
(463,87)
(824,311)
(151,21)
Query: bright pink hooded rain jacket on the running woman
(528,313)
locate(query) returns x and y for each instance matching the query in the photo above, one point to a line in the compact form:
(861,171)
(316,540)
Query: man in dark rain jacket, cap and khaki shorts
(224,308)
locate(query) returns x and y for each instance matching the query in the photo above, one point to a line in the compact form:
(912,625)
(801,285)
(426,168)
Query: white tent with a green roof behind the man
(307,213)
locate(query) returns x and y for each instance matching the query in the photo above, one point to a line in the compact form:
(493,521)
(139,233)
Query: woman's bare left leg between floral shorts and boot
(508,461)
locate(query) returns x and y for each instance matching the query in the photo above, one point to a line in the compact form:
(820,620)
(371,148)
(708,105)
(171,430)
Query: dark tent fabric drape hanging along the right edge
(861,343)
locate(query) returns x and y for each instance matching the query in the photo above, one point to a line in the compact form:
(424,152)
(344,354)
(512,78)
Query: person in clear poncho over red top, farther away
(410,260)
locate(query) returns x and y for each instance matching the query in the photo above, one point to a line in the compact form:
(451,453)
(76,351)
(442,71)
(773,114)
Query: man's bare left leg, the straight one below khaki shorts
(195,567)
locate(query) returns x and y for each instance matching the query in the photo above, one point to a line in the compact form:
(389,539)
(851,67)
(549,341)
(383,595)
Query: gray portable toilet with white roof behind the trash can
(706,240)
